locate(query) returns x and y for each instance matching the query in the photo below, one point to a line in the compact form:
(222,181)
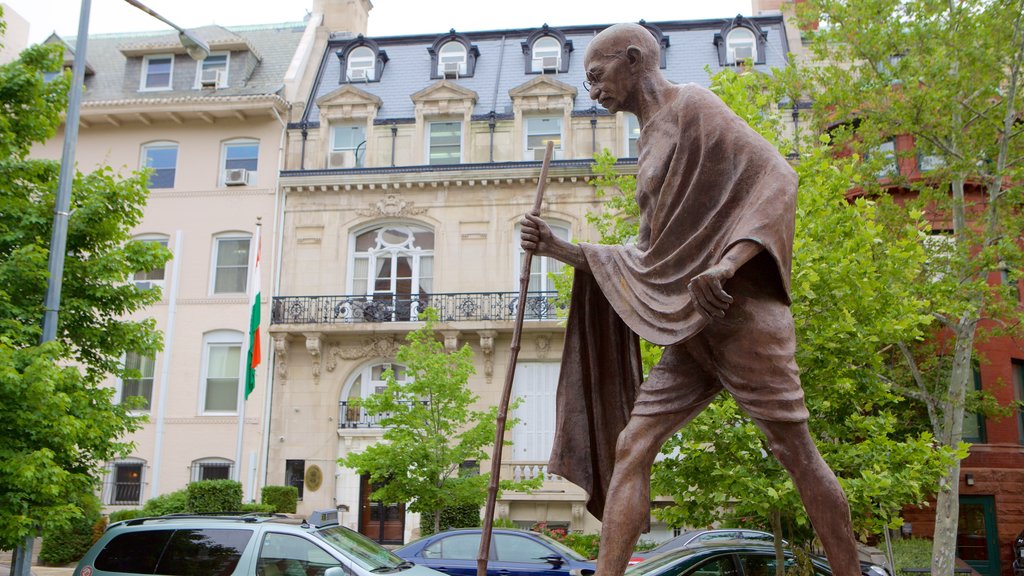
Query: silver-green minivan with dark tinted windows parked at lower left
(245,546)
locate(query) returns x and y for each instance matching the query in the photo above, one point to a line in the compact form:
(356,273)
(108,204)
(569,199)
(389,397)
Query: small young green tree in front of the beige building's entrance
(430,431)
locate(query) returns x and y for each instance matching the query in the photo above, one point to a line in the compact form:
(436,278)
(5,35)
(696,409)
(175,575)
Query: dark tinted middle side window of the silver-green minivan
(203,553)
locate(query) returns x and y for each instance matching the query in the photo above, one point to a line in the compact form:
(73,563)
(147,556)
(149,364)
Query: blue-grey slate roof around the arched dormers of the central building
(501,65)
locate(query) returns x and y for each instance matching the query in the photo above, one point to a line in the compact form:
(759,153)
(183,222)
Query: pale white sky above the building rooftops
(389,17)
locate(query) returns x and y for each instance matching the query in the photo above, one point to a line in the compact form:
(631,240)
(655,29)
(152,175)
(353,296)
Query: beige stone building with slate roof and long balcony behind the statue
(407,171)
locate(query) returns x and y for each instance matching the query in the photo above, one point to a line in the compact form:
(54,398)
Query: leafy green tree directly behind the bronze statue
(850,278)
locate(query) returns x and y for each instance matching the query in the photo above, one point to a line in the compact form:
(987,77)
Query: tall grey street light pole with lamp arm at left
(198,50)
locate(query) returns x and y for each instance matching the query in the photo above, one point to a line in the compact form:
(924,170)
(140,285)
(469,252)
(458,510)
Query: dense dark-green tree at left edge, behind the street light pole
(58,424)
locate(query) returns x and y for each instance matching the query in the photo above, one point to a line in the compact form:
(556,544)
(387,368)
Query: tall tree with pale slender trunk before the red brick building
(948,75)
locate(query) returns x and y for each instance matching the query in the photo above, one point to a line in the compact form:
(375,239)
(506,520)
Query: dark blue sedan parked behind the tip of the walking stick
(513,553)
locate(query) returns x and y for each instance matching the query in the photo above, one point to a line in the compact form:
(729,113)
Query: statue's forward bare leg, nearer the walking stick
(628,504)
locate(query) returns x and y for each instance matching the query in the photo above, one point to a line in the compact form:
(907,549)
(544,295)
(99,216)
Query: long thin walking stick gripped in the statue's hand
(503,407)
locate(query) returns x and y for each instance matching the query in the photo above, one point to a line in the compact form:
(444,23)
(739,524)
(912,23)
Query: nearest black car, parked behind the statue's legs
(730,559)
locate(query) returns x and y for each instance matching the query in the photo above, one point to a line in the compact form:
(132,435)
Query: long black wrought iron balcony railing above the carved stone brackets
(459,307)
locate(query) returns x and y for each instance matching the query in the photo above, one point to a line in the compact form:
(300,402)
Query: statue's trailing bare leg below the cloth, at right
(821,492)
